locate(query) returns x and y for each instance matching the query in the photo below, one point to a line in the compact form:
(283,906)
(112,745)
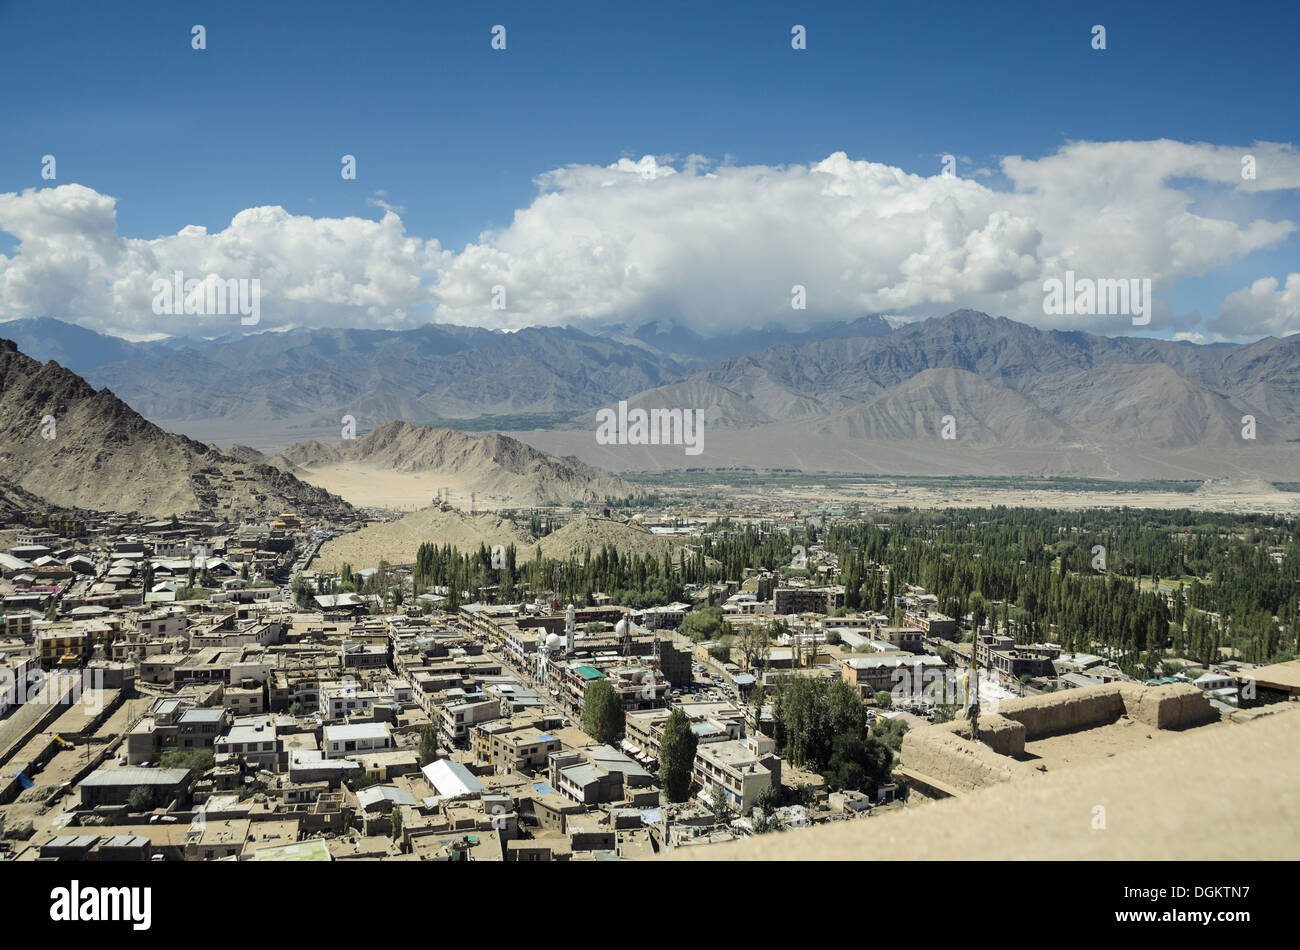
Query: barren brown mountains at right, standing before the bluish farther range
(1009,383)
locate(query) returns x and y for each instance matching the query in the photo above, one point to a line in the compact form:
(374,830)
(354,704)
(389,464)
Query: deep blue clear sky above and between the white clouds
(454,133)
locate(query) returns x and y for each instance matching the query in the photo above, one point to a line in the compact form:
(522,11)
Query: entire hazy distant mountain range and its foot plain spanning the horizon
(852,397)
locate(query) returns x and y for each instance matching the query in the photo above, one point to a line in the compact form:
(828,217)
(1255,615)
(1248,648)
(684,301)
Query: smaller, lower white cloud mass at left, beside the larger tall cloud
(71,263)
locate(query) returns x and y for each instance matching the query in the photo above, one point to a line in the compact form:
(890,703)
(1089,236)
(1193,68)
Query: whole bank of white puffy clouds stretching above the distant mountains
(712,245)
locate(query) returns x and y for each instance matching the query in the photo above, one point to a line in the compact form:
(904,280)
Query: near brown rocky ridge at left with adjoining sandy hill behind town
(71,446)
